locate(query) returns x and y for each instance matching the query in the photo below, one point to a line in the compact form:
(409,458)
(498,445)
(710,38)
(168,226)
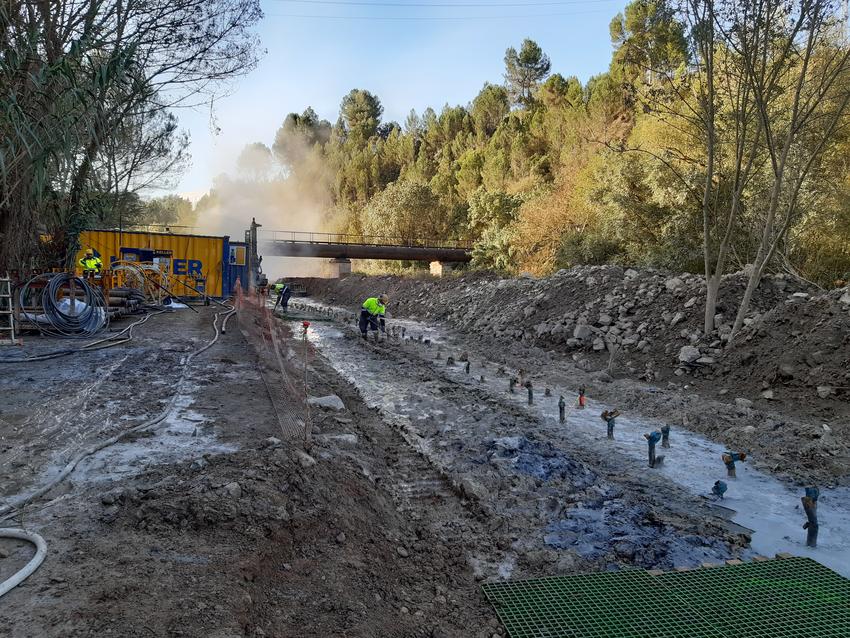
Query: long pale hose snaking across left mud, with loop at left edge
(9,509)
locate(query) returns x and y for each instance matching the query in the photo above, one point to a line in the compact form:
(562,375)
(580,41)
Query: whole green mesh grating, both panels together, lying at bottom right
(787,598)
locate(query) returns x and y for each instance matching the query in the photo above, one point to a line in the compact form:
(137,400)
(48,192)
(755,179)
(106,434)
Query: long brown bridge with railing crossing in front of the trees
(340,246)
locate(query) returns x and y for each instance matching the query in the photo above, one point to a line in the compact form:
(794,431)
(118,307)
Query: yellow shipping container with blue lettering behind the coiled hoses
(191,255)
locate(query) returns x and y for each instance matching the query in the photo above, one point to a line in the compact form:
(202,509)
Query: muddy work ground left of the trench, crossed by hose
(199,540)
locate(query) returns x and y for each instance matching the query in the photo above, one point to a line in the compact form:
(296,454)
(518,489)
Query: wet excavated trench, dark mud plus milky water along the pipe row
(565,486)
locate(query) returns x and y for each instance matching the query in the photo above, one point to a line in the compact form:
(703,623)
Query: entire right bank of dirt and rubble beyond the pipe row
(633,338)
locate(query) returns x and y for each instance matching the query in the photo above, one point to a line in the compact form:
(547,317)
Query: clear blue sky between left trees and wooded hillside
(409,56)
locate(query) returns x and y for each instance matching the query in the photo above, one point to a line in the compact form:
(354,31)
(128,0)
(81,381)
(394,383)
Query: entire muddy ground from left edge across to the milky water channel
(221,522)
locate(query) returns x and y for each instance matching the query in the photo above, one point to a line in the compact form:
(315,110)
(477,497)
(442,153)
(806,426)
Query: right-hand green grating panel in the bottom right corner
(786,598)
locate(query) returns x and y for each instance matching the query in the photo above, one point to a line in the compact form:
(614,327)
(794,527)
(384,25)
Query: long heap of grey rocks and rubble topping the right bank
(650,322)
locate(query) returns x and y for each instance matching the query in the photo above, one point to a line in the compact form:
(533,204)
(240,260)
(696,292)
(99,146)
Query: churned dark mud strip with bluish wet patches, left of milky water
(575,507)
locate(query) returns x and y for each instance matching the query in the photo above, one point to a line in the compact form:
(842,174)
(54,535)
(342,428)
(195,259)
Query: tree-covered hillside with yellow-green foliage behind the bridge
(544,172)
